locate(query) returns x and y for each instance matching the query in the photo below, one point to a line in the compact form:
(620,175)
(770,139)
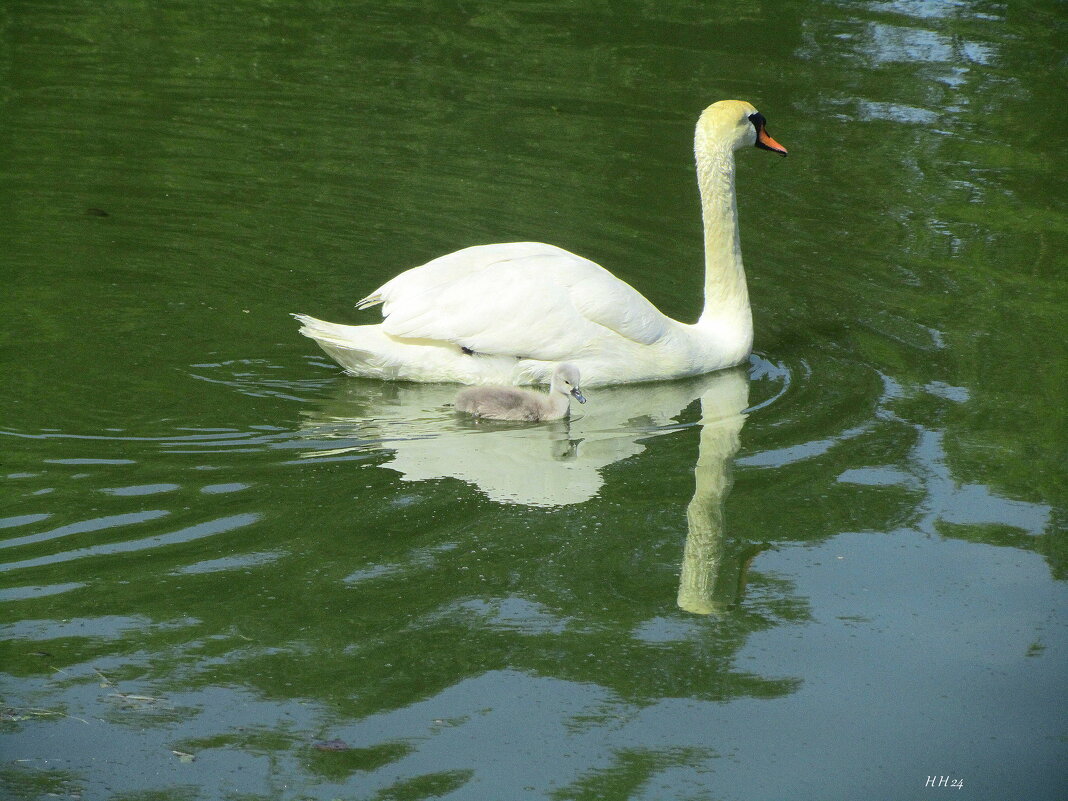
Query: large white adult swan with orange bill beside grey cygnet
(510,313)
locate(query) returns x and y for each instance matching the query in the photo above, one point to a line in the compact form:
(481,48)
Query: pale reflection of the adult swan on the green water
(552,464)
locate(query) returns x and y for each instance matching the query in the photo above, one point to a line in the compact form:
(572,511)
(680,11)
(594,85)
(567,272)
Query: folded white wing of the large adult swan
(524,300)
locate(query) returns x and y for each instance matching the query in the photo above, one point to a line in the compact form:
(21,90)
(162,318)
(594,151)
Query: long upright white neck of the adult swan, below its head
(727,296)
